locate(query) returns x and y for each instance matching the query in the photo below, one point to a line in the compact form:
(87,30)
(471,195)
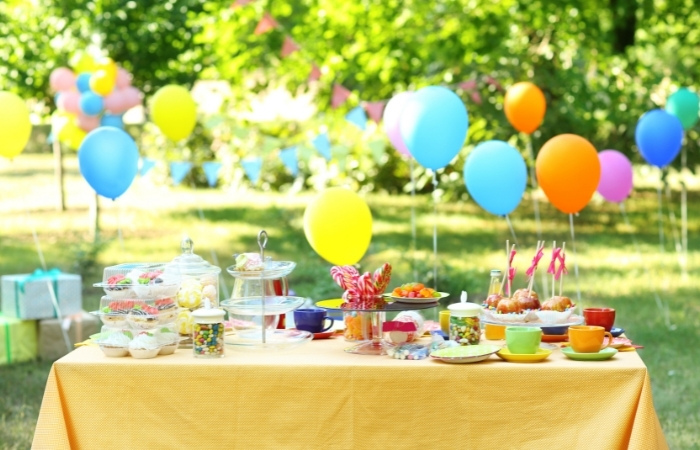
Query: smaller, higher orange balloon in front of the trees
(525,106)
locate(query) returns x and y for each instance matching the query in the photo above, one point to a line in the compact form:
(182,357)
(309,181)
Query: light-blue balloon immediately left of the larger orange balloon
(496,176)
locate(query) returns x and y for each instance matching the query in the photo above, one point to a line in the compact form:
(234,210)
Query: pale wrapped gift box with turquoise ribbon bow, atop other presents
(27,296)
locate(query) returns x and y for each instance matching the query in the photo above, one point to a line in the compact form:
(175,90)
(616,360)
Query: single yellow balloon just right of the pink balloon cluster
(173,110)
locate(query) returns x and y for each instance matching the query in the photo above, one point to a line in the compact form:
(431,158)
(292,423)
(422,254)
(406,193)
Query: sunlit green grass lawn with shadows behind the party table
(147,223)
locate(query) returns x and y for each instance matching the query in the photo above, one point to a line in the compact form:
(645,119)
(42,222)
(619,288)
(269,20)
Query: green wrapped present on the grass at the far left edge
(17,340)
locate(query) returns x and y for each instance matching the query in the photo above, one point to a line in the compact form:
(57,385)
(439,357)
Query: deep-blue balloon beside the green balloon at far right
(659,136)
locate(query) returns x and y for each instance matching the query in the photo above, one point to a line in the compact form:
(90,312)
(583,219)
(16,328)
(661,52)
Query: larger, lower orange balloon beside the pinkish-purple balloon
(568,170)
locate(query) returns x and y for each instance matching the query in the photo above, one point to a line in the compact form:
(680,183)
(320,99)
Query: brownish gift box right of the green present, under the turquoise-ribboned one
(52,343)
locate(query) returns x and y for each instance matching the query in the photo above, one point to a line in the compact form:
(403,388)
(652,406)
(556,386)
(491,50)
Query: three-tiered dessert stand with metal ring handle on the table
(264,307)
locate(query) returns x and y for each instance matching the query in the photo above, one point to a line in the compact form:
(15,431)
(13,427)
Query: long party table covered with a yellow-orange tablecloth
(319,397)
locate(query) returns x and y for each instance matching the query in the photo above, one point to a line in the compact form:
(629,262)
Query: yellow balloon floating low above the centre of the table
(338,226)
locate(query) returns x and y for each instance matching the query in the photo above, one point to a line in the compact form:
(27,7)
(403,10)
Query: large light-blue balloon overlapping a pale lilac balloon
(434,126)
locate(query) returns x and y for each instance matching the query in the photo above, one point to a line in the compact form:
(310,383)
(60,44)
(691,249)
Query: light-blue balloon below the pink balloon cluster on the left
(108,160)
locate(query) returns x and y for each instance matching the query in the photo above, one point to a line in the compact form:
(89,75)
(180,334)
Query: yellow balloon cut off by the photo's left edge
(15,126)
